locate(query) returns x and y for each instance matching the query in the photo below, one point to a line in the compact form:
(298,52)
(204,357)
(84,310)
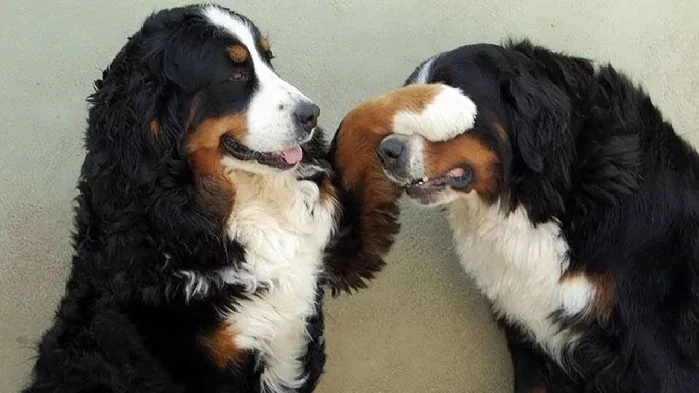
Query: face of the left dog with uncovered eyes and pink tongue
(255,120)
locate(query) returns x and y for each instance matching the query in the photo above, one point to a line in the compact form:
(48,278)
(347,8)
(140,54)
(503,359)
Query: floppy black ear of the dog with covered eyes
(541,114)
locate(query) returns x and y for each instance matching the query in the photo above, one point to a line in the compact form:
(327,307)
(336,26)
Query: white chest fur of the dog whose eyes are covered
(519,268)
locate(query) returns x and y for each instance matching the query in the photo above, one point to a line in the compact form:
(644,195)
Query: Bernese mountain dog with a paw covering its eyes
(574,207)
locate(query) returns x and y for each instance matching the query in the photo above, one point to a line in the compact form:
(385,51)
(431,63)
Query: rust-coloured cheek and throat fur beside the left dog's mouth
(215,192)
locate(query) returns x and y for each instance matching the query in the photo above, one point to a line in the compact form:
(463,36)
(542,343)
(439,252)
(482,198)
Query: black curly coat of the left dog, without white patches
(125,324)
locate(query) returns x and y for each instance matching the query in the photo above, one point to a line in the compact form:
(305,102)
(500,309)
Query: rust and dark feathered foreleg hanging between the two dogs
(369,221)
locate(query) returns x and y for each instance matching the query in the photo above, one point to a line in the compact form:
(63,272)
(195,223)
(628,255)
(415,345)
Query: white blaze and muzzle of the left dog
(270,113)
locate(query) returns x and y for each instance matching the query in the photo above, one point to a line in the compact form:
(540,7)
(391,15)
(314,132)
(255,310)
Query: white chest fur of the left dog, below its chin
(284,228)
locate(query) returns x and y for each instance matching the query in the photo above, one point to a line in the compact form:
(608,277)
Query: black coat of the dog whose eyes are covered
(590,150)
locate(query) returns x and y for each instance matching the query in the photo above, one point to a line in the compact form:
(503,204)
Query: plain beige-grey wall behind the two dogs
(421,327)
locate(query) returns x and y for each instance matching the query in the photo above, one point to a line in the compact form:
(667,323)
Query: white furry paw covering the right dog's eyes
(449,114)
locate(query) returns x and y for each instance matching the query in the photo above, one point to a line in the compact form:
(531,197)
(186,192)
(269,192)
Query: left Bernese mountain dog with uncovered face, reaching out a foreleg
(208,222)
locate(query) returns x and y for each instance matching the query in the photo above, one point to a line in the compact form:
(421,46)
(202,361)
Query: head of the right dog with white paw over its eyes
(482,120)
